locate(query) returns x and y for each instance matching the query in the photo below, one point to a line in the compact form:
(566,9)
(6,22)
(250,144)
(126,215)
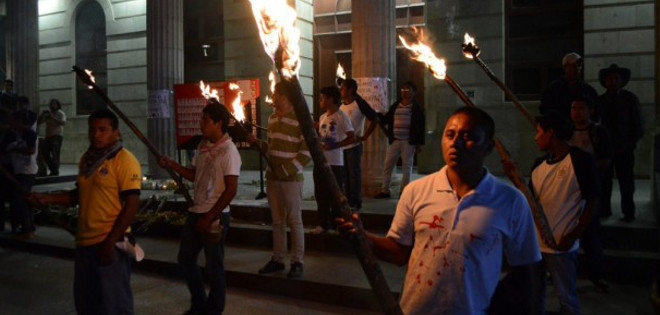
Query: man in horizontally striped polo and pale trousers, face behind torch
(288,154)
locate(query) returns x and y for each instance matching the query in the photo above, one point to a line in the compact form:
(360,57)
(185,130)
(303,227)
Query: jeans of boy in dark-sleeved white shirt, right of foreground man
(563,269)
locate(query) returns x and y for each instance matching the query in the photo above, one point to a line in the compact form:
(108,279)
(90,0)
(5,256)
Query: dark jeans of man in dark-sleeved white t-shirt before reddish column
(353,176)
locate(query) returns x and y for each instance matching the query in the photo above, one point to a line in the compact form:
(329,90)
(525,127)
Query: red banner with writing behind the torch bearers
(188,105)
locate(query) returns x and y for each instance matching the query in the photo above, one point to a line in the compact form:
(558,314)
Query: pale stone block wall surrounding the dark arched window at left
(127,78)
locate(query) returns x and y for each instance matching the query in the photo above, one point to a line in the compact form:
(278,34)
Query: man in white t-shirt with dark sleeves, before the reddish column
(358,110)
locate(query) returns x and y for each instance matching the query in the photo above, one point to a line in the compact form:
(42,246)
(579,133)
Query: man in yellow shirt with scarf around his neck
(108,193)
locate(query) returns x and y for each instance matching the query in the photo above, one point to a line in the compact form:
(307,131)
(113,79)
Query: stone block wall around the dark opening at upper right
(619,32)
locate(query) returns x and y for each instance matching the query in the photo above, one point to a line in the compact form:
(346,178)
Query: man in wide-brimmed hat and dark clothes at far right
(621,117)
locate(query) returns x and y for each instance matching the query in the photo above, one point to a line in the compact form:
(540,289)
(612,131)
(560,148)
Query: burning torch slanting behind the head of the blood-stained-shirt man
(423,53)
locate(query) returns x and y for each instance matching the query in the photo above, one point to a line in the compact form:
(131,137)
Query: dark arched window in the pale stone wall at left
(91,53)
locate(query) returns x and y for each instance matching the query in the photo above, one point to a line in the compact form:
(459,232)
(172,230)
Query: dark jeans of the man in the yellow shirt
(100,290)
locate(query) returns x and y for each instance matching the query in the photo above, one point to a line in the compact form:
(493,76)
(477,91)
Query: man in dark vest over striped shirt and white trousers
(405,124)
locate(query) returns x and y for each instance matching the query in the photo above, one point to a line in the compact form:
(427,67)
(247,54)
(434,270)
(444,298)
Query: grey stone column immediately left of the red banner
(164,69)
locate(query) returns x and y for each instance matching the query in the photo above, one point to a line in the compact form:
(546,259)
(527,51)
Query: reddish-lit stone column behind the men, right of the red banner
(374,57)
